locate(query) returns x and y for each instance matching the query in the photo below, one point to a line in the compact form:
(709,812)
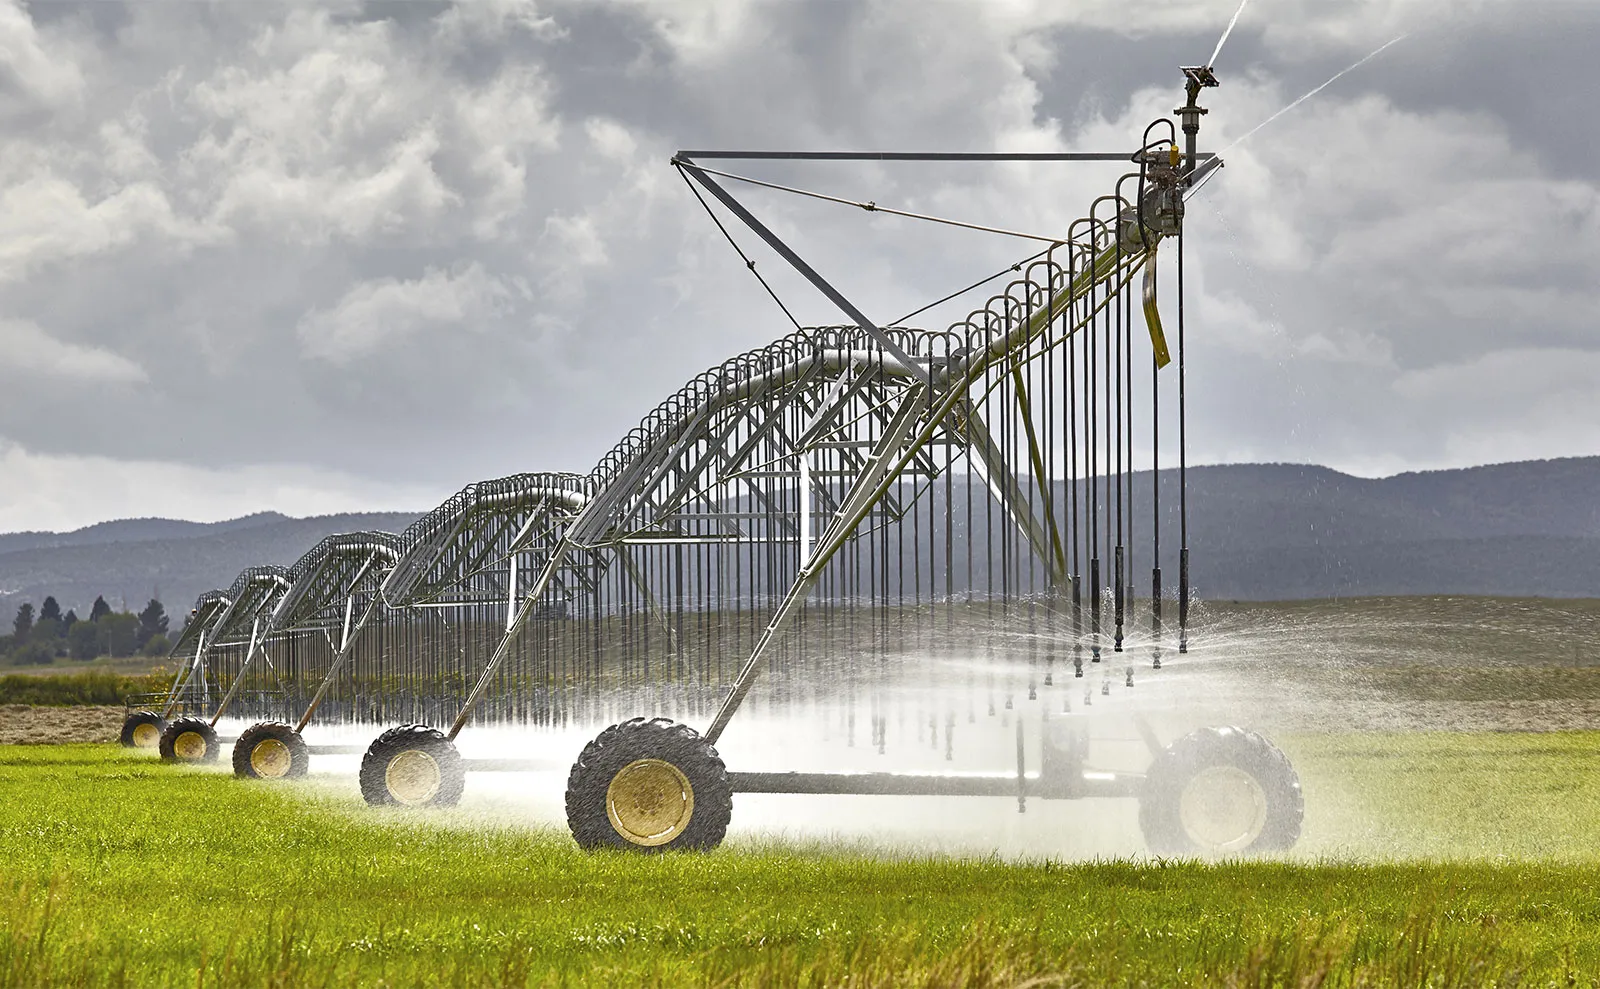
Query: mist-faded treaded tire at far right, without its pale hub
(1228,751)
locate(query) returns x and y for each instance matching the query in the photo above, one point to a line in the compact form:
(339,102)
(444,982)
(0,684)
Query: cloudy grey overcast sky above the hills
(354,257)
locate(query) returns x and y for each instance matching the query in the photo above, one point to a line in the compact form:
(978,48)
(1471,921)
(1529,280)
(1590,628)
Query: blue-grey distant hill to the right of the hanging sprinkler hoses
(1262,532)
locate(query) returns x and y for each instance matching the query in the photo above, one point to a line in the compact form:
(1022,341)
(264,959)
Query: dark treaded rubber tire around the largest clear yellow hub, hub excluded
(620,747)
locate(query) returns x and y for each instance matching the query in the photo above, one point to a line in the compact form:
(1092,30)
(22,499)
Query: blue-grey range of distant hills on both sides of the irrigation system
(1258,532)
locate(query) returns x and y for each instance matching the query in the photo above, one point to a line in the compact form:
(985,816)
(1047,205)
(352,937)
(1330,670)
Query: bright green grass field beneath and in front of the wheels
(119,871)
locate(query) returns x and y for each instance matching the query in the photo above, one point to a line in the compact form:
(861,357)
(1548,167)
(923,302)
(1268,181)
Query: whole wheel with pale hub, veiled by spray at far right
(1222,791)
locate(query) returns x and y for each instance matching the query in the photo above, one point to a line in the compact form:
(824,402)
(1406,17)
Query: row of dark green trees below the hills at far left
(39,639)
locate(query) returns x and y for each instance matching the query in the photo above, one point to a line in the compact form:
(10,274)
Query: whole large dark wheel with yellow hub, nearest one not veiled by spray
(649,787)
